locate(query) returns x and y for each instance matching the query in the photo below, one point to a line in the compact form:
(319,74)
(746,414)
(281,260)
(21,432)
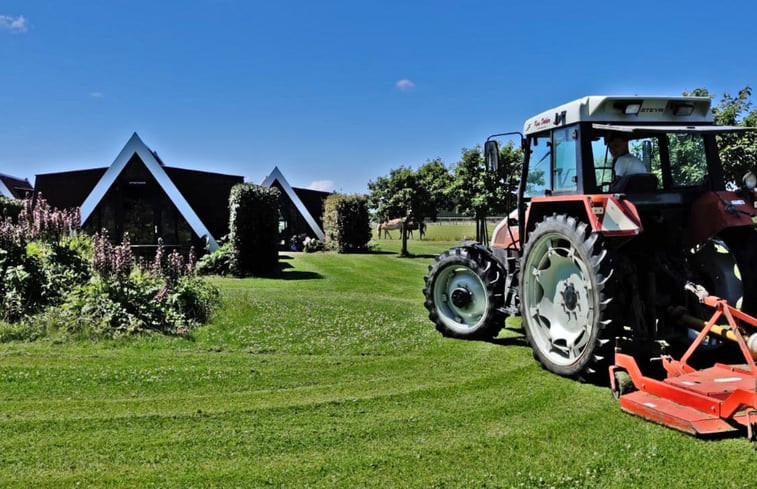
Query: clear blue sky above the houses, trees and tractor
(334,93)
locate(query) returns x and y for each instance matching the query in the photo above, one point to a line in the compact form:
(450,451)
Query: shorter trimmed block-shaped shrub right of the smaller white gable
(346,223)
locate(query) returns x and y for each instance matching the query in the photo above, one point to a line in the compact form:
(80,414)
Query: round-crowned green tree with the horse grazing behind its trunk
(407,194)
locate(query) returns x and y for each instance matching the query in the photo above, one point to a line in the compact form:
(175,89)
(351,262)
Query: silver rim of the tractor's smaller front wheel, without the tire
(458,317)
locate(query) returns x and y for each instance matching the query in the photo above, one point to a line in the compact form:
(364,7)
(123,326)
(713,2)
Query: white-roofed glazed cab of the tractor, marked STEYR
(669,139)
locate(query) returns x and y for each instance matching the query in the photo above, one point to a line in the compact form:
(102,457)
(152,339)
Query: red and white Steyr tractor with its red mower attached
(608,269)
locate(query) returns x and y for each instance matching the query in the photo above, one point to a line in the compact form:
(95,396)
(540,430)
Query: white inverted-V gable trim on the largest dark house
(135,145)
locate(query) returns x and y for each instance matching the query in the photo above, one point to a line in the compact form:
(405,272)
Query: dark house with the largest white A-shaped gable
(138,195)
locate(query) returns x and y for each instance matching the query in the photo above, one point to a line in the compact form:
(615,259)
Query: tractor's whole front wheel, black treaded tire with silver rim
(464,289)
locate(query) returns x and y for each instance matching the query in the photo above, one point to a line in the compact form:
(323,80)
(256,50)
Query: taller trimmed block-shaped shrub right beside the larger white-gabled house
(254,229)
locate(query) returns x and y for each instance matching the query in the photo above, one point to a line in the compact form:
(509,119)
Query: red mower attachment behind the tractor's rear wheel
(718,399)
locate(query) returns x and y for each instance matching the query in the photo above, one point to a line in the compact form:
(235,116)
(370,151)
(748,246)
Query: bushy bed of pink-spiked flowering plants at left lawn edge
(52,276)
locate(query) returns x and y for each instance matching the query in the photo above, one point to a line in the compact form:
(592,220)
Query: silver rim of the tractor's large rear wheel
(558,292)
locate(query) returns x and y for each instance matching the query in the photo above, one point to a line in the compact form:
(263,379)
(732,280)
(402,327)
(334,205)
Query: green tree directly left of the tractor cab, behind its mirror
(479,192)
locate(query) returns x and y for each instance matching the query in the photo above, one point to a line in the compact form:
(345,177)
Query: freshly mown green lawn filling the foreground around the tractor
(330,376)
